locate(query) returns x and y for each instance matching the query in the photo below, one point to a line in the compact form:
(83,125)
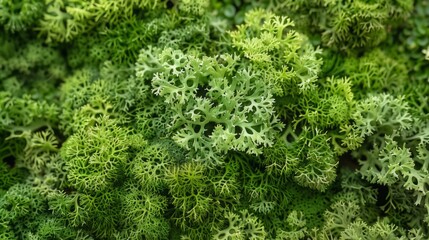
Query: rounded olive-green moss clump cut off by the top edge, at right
(346,25)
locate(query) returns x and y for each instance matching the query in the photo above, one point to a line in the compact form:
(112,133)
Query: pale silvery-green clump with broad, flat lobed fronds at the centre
(217,106)
